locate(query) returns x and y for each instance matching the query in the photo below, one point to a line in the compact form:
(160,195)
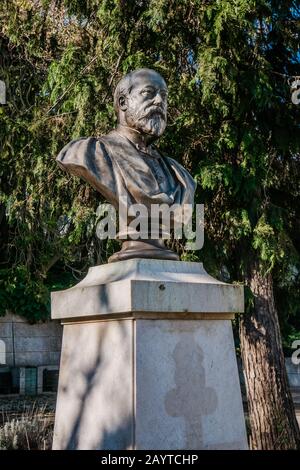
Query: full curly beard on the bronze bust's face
(151,122)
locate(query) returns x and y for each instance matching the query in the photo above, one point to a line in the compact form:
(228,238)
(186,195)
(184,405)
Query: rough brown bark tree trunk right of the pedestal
(271,411)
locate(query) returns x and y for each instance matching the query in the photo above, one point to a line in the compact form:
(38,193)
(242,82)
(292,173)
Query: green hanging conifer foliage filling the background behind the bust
(231,122)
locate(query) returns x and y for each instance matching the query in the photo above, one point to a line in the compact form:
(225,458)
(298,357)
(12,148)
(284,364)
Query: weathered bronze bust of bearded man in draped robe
(126,163)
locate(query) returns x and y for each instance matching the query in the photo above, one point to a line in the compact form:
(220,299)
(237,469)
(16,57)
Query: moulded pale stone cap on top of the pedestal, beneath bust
(147,287)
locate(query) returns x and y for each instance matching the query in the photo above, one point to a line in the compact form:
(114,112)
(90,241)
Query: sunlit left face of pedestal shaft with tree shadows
(95,404)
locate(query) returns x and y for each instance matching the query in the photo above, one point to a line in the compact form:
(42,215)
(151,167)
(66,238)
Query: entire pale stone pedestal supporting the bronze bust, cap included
(148,359)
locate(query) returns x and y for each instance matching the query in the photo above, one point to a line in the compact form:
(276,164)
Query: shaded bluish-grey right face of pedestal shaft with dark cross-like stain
(194,392)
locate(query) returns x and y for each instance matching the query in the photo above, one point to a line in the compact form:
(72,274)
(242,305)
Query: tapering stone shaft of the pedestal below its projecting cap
(149,384)
